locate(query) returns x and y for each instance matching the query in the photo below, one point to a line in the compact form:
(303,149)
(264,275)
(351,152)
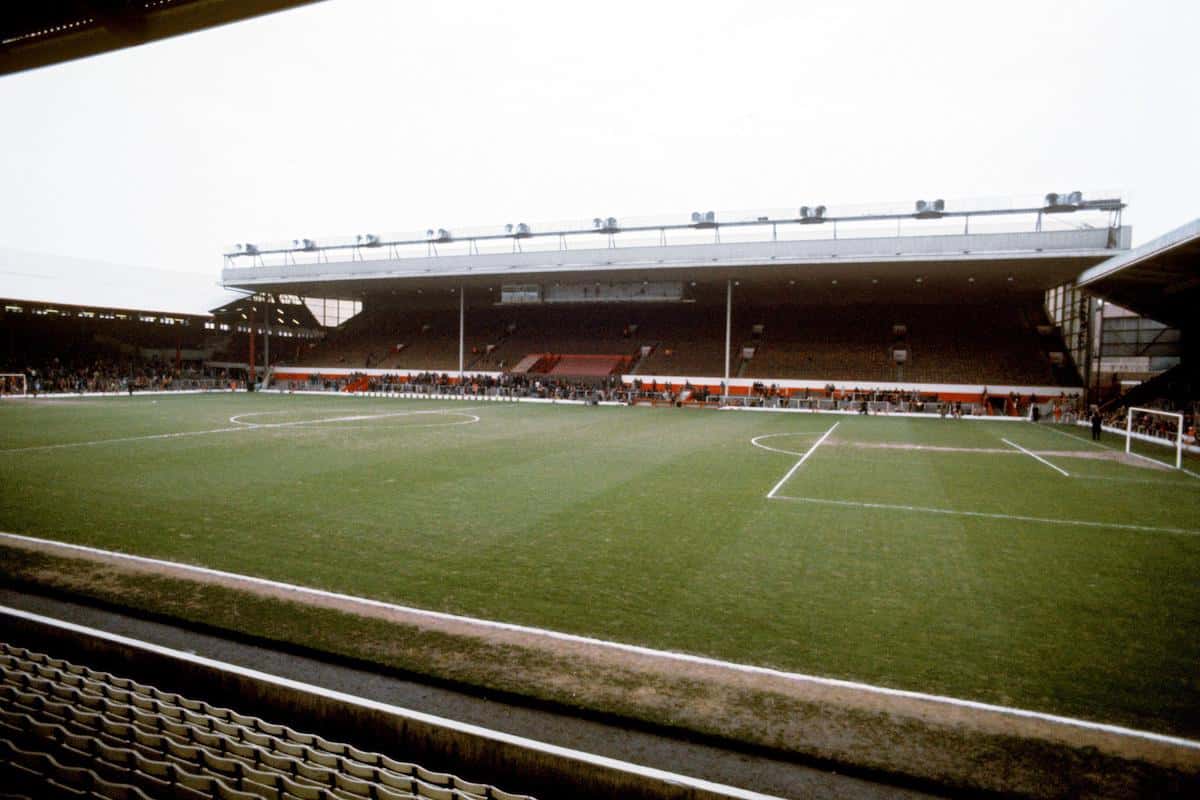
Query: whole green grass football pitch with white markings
(999,562)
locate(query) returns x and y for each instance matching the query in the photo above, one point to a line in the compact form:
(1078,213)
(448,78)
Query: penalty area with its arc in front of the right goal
(1019,474)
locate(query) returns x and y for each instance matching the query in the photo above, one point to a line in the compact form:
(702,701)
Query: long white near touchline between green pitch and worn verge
(639,649)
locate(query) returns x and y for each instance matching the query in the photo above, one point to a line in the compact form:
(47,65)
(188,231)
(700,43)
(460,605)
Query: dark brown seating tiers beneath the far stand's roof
(980,344)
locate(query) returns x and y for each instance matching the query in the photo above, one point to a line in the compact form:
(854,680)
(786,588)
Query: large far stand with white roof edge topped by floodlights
(755,296)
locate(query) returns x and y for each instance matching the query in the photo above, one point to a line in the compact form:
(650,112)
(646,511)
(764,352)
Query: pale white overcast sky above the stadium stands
(356,116)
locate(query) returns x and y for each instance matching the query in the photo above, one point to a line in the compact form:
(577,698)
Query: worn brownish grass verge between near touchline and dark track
(952,750)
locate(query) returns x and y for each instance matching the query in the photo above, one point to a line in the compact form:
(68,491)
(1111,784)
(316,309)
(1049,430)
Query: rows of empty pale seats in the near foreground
(81,733)
